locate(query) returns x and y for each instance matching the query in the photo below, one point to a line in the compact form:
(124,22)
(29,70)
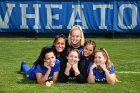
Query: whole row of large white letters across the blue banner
(76,10)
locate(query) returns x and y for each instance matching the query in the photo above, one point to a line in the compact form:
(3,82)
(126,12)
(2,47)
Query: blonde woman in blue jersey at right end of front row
(102,70)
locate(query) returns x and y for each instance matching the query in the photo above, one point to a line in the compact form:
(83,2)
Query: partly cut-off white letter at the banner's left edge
(4,24)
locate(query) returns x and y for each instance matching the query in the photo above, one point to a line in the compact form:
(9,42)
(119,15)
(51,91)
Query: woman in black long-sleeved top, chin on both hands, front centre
(73,69)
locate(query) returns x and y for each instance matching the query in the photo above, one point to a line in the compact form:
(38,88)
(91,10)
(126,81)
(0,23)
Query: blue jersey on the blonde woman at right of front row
(100,75)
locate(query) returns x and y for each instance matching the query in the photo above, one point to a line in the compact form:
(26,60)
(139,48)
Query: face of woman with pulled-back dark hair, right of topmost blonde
(88,50)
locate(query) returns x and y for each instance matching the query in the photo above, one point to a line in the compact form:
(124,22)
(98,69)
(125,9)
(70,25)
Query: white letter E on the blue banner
(50,17)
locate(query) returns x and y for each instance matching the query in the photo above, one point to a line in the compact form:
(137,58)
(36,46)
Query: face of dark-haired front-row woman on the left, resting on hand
(50,59)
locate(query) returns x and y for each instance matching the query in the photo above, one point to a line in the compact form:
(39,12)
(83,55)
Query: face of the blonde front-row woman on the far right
(99,58)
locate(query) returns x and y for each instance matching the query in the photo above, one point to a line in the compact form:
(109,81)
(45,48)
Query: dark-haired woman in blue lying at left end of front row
(45,69)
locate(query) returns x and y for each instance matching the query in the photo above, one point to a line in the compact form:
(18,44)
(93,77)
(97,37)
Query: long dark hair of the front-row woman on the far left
(40,59)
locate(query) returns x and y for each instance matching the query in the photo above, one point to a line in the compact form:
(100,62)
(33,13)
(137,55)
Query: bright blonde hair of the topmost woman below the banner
(76,27)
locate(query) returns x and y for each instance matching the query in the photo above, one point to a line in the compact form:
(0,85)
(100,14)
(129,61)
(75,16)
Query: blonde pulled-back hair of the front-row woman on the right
(106,55)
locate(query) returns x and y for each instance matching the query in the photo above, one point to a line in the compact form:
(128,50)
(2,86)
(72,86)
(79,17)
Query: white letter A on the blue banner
(77,9)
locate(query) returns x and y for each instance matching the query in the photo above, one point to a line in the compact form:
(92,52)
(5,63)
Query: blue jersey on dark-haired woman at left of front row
(38,69)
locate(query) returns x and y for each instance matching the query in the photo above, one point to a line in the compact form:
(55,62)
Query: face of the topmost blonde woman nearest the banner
(75,37)
